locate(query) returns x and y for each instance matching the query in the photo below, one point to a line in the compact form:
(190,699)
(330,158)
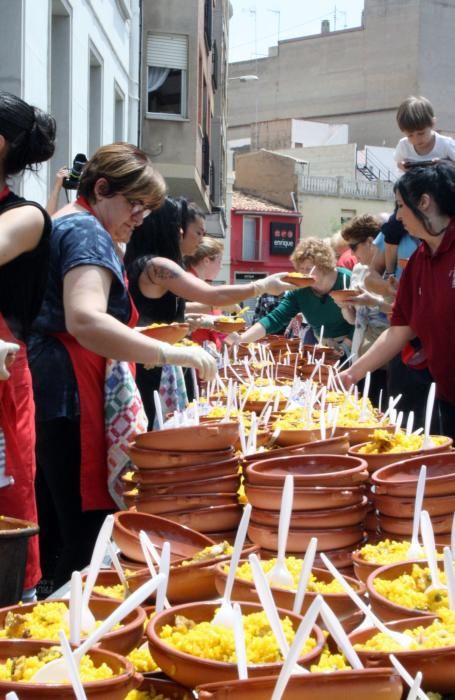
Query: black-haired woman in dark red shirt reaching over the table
(425,302)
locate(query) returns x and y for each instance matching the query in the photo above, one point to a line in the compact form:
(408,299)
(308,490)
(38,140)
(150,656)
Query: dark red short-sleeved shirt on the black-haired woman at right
(426,302)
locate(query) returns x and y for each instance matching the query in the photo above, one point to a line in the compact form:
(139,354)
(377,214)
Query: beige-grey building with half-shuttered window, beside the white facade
(183,88)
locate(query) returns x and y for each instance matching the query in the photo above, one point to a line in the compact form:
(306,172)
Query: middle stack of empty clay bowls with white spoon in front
(329,503)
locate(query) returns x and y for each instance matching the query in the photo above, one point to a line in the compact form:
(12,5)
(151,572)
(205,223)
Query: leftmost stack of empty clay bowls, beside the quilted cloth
(189,475)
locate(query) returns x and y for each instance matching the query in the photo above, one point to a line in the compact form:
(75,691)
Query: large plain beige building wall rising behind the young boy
(355,76)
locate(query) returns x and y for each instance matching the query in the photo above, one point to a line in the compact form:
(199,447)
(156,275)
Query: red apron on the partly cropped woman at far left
(17,419)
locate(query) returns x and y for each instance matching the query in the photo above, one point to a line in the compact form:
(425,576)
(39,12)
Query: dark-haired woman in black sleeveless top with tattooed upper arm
(159,286)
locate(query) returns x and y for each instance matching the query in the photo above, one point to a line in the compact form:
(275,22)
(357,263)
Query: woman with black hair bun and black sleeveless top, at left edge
(26,139)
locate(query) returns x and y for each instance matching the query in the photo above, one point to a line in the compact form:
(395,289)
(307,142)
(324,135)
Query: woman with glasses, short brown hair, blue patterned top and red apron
(87,317)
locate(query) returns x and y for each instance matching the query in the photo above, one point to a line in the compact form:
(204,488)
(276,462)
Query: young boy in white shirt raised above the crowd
(421,144)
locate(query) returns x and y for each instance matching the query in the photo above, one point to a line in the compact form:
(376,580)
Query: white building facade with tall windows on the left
(78,60)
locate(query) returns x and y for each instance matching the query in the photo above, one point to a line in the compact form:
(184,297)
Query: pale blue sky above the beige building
(256,24)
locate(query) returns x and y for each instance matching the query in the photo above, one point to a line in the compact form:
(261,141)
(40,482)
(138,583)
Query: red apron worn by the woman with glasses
(90,369)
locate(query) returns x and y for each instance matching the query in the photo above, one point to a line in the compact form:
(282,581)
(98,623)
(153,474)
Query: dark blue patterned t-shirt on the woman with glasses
(76,240)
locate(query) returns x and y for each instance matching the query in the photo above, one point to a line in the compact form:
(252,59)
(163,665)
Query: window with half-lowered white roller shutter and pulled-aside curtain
(167,62)
